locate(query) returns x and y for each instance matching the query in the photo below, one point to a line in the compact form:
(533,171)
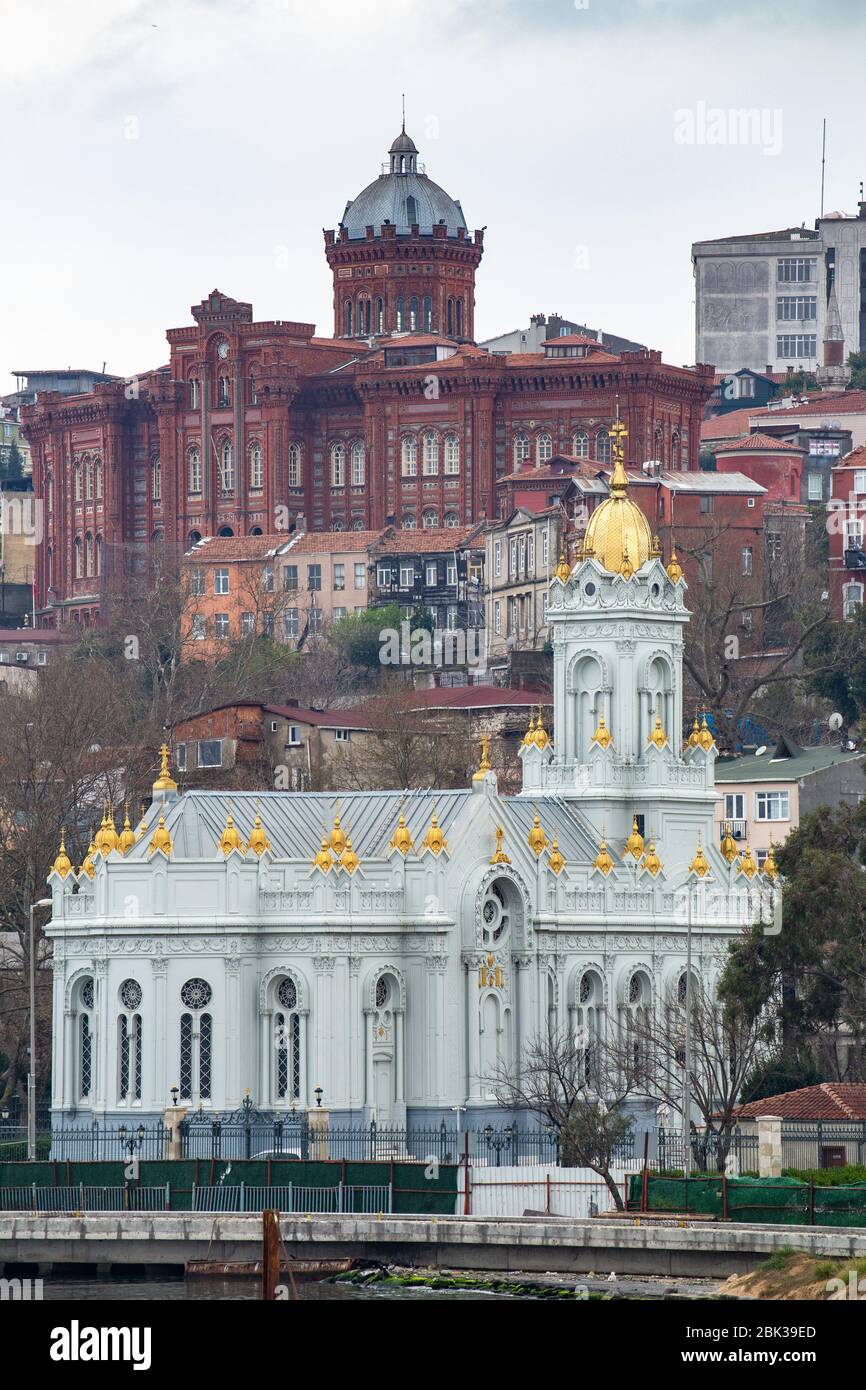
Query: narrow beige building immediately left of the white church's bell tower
(522,555)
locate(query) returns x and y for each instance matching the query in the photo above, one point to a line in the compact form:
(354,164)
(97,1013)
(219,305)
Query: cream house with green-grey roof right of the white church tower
(764,796)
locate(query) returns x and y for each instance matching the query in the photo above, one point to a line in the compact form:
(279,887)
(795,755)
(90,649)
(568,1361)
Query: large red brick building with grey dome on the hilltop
(395,419)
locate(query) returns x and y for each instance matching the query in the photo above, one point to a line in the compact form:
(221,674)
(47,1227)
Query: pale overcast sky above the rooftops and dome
(155,149)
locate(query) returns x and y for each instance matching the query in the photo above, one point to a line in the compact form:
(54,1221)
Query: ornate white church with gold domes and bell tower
(394,947)
